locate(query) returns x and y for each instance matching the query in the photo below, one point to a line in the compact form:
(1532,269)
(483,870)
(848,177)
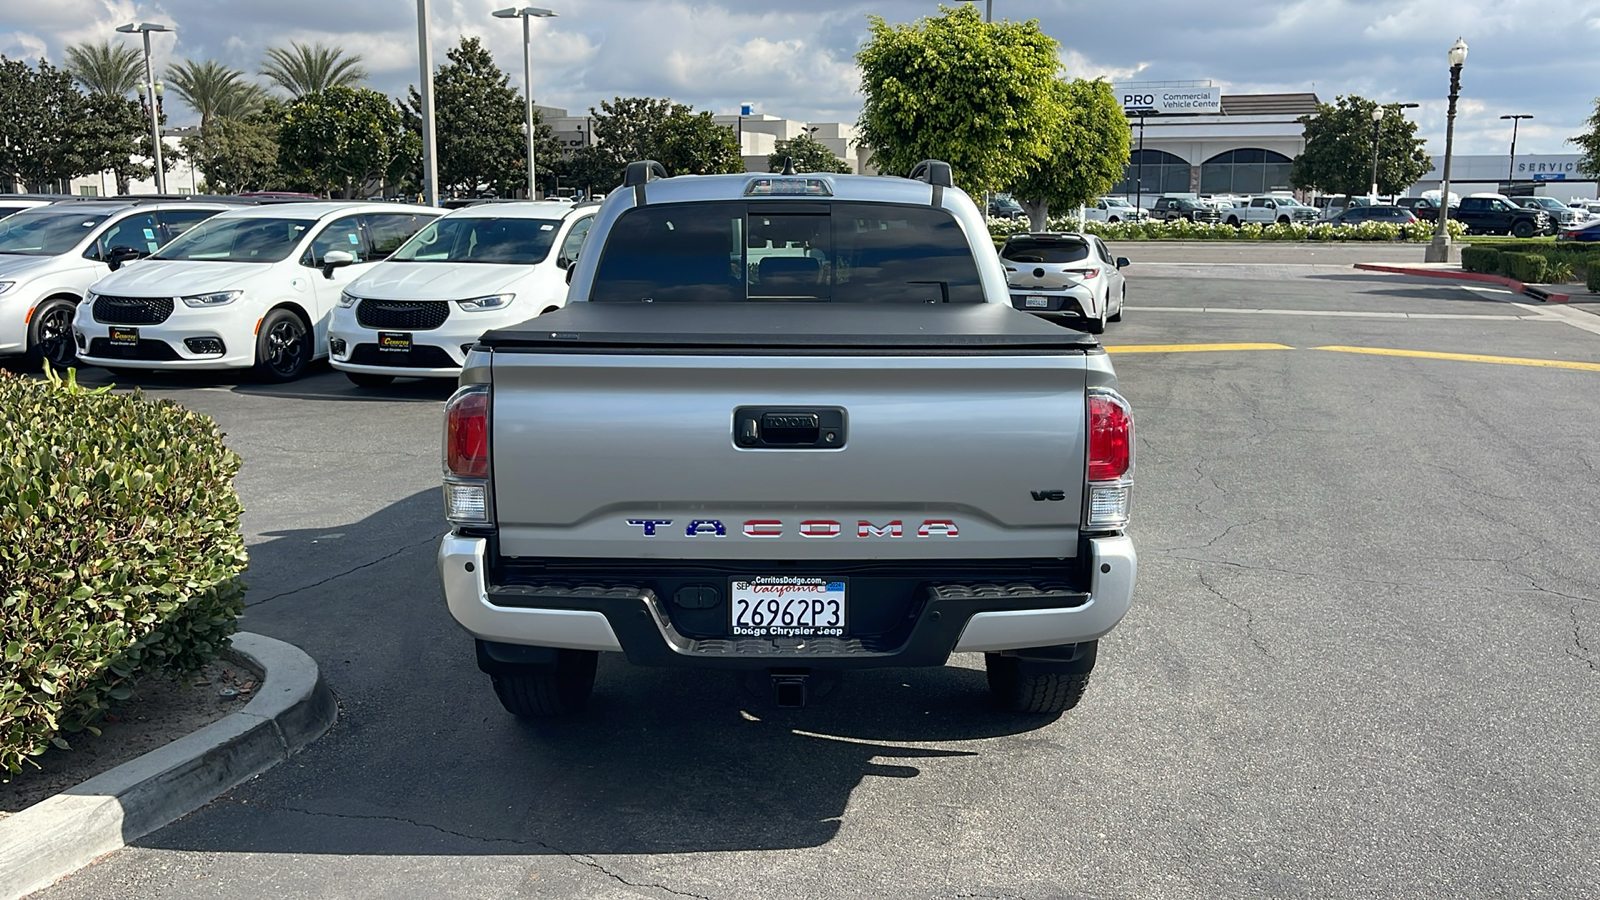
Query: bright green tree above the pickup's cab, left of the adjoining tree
(951,87)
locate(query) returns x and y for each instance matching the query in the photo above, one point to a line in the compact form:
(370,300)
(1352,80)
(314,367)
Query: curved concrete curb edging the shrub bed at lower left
(65,834)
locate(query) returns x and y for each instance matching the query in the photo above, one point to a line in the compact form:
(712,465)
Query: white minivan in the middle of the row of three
(247,289)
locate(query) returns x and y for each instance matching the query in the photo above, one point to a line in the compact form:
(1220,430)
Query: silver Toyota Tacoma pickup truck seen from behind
(788,424)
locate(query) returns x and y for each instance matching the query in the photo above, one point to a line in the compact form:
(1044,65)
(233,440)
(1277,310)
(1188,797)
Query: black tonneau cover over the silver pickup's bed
(786,324)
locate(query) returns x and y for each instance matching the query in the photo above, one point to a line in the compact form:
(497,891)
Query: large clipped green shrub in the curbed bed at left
(119,553)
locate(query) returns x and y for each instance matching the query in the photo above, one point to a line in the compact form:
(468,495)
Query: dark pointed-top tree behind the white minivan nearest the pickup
(481,126)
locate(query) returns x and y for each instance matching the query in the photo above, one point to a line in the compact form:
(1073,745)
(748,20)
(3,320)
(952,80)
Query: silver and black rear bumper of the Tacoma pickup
(620,617)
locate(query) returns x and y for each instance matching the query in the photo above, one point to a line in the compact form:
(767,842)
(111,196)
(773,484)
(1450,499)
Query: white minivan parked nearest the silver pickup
(476,270)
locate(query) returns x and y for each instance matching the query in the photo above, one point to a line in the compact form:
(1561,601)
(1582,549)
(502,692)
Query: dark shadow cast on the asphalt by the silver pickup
(425,761)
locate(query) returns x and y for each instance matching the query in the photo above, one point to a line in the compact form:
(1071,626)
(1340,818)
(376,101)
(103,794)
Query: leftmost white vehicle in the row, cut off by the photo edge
(52,254)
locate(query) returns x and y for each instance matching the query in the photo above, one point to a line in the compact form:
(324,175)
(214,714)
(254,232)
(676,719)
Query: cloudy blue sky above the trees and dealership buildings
(796,58)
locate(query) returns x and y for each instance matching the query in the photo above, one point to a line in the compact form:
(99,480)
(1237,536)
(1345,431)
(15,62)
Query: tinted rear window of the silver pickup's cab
(786,252)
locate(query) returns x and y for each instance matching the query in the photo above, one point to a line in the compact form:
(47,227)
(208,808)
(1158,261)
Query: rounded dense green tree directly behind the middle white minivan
(340,140)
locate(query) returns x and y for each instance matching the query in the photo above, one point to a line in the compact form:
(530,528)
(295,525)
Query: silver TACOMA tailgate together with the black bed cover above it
(959,436)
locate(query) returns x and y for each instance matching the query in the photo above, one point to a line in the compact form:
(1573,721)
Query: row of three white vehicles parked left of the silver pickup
(380,289)
